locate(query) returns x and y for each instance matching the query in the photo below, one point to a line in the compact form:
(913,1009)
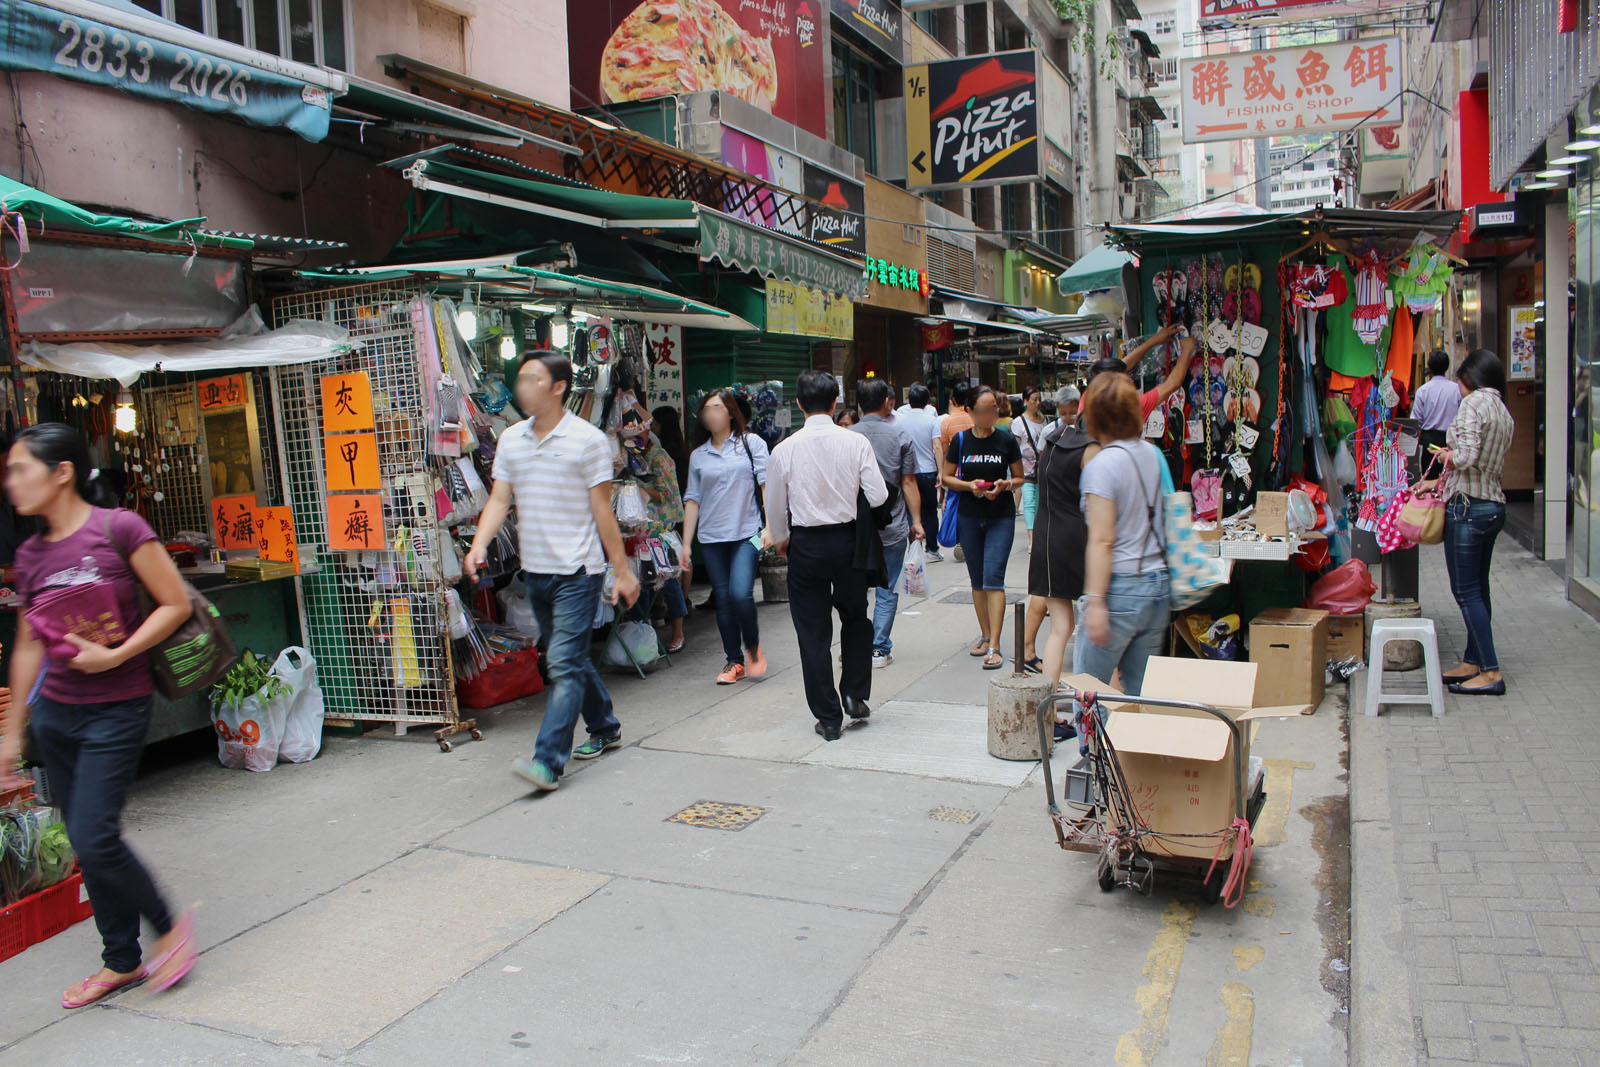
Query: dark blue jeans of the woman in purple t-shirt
(92,754)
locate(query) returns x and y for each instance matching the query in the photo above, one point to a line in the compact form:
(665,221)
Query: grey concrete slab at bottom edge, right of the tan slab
(628,977)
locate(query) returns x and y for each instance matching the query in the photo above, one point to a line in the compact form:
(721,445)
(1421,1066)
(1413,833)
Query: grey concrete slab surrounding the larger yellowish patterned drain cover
(828,836)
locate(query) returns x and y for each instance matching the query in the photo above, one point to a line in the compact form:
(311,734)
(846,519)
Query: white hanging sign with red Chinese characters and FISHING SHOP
(1282,92)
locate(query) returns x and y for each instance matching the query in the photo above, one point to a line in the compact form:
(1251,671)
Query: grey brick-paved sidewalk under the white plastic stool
(1478,845)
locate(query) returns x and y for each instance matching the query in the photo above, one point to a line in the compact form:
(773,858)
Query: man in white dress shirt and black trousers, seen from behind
(812,484)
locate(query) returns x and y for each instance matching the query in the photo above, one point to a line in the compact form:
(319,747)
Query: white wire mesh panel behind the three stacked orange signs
(375,620)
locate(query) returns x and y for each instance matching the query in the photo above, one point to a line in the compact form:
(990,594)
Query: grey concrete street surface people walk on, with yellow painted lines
(726,889)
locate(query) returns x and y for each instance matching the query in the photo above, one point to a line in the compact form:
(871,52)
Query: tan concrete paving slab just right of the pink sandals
(338,970)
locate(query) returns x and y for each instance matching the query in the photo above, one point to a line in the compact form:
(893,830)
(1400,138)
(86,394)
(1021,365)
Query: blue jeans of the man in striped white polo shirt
(566,609)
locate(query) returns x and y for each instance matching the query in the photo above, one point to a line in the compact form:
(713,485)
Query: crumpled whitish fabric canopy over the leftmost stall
(300,342)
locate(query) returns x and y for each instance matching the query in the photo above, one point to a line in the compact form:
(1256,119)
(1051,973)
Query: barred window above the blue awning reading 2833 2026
(305,31)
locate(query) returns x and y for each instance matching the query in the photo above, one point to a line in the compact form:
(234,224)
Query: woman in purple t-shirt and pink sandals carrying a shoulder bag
(94,705)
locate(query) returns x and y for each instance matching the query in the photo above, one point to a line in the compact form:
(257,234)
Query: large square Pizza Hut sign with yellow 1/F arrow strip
(974,122)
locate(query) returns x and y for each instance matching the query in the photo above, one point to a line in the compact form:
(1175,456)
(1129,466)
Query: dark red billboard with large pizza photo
(767,54)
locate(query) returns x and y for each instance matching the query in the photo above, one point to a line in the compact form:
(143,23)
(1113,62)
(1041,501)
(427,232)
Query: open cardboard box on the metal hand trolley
(1180,764)
